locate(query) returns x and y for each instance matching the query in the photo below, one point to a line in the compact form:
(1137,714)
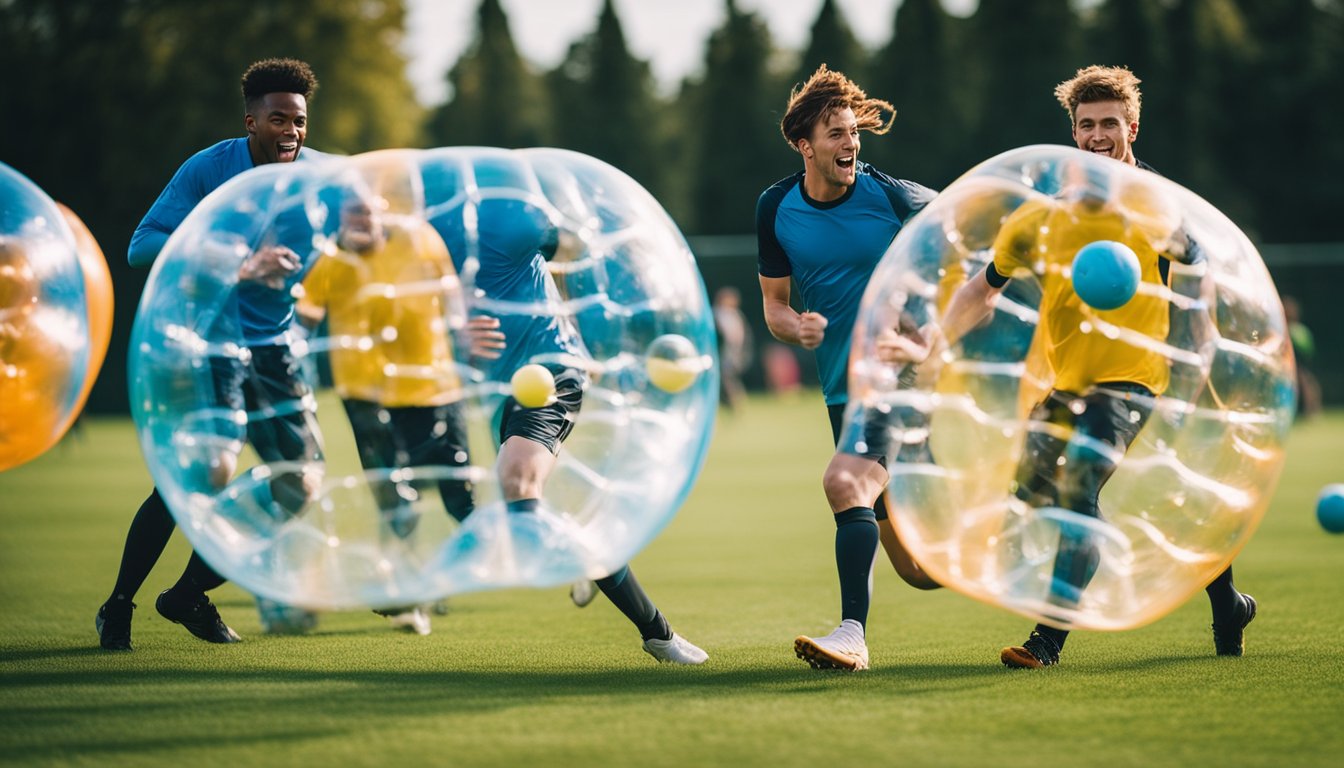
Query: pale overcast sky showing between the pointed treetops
(669,34)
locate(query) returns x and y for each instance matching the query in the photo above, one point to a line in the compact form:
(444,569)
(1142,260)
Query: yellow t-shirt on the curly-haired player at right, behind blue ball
(1042,239)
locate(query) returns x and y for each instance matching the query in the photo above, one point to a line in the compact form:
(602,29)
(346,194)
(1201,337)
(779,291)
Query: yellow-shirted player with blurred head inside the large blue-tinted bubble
(385,294)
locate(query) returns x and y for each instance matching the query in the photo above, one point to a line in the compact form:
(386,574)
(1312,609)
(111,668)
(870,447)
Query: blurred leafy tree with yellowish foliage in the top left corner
(119,93)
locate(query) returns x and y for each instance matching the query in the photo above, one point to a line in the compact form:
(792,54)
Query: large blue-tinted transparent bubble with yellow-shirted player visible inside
(355,463)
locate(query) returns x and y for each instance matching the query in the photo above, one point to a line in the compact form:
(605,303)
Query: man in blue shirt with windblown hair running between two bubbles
(827,228)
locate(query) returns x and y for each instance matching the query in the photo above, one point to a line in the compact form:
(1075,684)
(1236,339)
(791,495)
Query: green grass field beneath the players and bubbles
(525,679)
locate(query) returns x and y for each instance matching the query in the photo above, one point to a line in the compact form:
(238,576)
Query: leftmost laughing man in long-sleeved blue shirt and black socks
(276,95)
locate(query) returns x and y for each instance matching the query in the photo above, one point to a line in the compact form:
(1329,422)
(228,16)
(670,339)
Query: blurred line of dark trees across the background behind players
(106,99)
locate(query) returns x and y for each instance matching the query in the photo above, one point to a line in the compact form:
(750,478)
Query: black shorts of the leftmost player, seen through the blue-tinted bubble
(271,388)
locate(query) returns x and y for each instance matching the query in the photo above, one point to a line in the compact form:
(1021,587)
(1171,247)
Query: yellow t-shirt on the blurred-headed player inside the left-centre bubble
(386,310)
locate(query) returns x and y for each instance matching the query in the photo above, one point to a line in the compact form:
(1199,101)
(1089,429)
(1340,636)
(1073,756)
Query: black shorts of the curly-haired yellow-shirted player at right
(1101,423)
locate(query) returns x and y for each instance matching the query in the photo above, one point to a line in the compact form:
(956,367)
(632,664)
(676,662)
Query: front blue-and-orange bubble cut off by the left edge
(45,341)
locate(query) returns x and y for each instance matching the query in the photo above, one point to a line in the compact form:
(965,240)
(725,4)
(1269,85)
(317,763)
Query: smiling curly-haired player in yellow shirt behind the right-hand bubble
(1104,388)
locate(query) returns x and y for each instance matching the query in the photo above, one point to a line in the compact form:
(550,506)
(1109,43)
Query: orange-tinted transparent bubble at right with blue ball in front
(1175,406)
